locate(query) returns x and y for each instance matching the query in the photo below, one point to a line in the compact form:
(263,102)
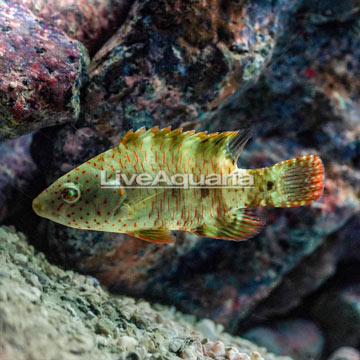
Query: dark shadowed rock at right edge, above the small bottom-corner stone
(338,313)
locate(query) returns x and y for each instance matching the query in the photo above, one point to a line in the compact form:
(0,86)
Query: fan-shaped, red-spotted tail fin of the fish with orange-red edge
(298,181)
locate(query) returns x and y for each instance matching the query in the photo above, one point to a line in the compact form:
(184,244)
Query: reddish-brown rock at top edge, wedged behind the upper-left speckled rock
(90,21)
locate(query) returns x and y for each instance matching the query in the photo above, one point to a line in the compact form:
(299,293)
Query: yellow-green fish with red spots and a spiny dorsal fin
(96,195)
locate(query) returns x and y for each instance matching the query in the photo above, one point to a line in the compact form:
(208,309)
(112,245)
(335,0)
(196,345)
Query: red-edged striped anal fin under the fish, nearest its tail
(240,225)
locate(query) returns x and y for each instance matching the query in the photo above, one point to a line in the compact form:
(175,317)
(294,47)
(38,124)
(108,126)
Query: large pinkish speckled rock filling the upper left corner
(41,70)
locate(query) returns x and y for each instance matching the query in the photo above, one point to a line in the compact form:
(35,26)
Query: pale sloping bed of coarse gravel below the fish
(75,319)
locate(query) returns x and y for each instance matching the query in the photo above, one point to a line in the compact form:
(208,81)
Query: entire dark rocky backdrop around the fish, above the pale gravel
(76,75)
